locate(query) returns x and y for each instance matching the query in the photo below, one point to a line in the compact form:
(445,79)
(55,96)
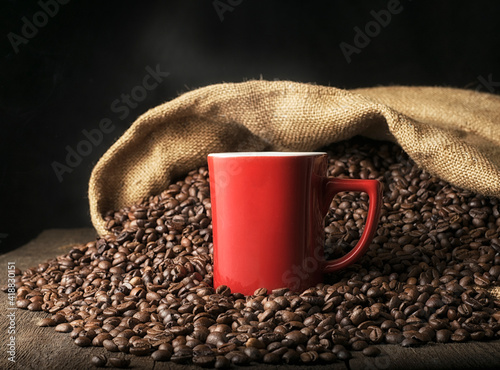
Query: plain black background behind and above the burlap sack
(65,78)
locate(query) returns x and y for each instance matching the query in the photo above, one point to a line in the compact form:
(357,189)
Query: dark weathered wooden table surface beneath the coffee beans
(43,348)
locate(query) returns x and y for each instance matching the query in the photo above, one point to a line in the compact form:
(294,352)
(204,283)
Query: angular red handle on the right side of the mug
(374,190)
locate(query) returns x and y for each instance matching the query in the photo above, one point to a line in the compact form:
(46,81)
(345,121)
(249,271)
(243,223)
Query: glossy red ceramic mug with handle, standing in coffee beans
(268,211)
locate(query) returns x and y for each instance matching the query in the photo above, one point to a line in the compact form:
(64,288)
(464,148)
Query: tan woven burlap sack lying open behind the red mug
(452,133)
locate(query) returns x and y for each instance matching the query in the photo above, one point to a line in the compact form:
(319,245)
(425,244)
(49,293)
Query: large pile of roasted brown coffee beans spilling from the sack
(146,288)
